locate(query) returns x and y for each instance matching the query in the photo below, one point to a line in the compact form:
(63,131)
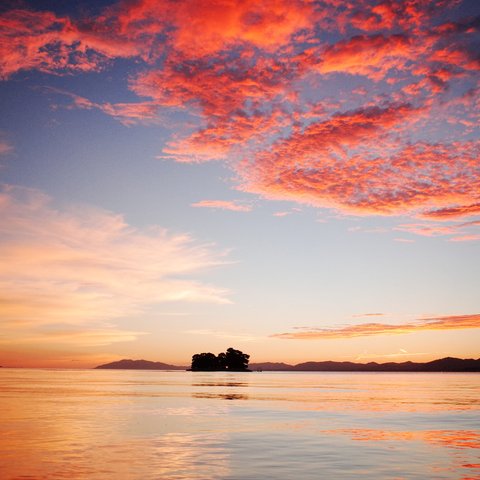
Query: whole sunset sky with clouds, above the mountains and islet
(299,180)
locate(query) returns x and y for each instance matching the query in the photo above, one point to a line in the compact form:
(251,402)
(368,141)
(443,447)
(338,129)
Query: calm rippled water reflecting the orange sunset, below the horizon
(106,424)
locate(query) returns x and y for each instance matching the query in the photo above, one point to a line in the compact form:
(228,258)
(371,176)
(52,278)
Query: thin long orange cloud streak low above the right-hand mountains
(452,322)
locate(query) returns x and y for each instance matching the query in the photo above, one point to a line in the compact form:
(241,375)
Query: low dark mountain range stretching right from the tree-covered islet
(447,364)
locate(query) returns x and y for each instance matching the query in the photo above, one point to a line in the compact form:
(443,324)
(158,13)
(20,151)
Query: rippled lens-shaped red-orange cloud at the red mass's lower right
(314,167)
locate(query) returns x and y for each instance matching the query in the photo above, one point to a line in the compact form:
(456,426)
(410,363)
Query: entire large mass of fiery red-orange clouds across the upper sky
(251,76)
